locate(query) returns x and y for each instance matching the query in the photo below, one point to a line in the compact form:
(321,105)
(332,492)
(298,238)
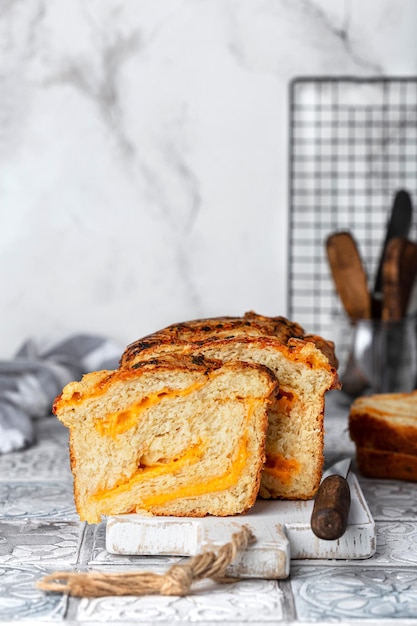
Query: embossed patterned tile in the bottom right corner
(353,593)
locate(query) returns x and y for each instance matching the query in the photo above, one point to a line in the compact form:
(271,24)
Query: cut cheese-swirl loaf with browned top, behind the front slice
(305,368)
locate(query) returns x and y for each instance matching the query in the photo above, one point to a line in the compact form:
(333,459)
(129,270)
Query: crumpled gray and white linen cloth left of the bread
(30,382)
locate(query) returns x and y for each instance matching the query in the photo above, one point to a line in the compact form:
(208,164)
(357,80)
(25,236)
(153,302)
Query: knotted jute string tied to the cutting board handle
(176,581)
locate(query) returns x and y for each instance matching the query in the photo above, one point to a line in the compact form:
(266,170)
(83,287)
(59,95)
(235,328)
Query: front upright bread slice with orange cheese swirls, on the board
(177,435)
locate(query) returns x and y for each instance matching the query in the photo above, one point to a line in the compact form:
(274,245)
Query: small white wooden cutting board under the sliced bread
(282,530)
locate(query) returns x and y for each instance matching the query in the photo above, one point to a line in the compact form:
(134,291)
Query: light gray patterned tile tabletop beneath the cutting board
(40,532)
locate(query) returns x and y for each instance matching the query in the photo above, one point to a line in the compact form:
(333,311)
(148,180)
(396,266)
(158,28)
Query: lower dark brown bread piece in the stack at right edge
(386,464)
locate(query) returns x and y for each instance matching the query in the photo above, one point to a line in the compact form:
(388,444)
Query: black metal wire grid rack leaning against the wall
(353,144)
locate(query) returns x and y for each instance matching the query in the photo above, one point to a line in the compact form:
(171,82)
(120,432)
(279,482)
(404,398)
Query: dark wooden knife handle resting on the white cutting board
(331,508)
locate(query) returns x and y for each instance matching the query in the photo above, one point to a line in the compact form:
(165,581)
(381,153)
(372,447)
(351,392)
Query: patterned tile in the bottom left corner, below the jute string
(21,601)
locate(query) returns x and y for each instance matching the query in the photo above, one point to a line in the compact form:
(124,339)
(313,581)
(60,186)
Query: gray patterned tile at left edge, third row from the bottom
(37,500)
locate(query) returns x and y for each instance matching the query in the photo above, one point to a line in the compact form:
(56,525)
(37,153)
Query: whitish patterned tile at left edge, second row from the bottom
(40,542)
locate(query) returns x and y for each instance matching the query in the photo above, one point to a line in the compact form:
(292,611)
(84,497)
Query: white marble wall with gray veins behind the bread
(143,152)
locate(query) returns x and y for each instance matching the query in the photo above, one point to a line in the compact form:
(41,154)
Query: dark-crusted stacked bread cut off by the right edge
(384,430)
